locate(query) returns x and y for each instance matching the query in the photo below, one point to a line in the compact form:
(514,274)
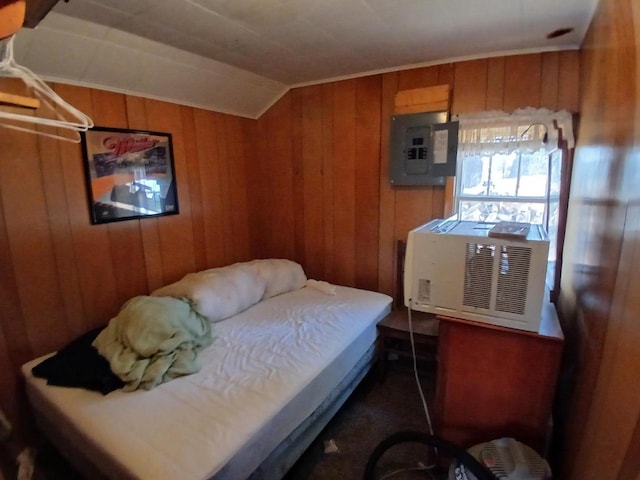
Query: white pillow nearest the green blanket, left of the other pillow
(218,293)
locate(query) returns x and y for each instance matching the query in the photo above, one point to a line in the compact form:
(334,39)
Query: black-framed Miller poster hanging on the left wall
(130,174)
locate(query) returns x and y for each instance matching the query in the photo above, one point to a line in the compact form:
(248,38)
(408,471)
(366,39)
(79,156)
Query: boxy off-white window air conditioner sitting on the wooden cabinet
(454,268)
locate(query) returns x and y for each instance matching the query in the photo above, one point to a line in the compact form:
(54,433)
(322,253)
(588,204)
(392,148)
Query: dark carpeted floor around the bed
(374,411)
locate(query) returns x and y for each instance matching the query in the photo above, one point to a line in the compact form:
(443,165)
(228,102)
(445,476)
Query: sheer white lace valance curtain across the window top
(528,129)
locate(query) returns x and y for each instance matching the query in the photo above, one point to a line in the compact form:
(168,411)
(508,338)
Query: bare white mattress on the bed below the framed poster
(269,369)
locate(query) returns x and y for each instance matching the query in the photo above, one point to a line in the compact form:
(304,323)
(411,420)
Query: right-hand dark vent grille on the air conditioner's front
(511,294)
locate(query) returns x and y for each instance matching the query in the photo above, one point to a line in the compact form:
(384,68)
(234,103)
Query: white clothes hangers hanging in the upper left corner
(69,122)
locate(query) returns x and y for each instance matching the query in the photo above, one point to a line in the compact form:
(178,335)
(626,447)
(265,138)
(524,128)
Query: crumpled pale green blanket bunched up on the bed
(153,340)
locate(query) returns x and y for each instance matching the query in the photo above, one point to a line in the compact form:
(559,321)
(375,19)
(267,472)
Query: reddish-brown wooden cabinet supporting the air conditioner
(496,382)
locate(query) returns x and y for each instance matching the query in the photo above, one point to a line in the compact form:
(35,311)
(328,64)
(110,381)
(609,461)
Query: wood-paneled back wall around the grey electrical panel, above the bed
(322,194)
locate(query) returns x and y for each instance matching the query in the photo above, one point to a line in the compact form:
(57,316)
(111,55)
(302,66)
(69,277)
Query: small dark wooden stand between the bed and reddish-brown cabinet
(394,336)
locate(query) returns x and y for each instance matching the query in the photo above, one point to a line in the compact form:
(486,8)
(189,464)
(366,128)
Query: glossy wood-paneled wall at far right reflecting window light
(599,297)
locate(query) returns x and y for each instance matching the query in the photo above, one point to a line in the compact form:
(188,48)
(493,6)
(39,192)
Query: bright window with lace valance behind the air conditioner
(510,168)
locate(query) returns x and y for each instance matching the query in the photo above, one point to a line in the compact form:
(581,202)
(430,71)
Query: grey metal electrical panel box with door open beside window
(423,149)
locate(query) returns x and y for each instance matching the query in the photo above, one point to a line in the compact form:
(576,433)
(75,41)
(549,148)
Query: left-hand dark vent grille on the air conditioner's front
(477,276)
